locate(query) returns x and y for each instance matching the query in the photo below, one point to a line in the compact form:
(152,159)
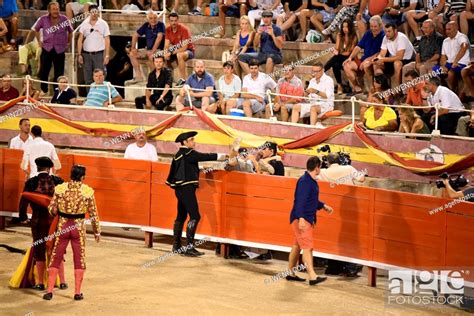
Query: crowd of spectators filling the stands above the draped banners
(375,55)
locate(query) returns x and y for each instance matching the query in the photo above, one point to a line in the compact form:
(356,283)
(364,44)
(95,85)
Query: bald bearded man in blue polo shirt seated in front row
(201,85)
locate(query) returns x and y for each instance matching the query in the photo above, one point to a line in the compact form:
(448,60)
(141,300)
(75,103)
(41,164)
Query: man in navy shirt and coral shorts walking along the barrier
(303,219)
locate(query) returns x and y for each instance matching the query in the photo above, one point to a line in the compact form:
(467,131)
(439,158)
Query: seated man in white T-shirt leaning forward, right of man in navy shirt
(401,53)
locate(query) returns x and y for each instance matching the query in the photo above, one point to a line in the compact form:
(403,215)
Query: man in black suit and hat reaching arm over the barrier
(184,179)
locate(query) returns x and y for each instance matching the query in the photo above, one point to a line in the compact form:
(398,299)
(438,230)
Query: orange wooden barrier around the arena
(376,227)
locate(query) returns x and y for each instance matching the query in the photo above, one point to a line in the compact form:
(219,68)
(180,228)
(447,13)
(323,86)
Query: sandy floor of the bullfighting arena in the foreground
(116,284)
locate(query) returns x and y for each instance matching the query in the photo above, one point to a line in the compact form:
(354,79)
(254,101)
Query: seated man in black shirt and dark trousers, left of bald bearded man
(161,78)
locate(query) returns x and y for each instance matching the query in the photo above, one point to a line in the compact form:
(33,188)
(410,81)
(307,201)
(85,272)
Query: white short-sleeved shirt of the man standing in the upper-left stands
(94,41)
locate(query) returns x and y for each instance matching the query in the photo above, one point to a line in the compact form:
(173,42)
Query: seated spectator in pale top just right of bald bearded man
(229,86)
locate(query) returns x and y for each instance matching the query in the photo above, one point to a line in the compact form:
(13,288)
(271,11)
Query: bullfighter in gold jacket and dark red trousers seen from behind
(71,201)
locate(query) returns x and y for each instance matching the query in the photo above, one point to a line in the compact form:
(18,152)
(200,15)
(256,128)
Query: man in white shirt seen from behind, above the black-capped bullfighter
(38,148)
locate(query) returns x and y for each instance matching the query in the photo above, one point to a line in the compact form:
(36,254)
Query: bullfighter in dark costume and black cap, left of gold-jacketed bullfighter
(42,183)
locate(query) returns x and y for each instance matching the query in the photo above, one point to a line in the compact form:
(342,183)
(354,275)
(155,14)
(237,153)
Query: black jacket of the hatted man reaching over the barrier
(184,168)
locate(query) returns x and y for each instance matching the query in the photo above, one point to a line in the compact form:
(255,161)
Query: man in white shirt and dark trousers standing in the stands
(93,44)
